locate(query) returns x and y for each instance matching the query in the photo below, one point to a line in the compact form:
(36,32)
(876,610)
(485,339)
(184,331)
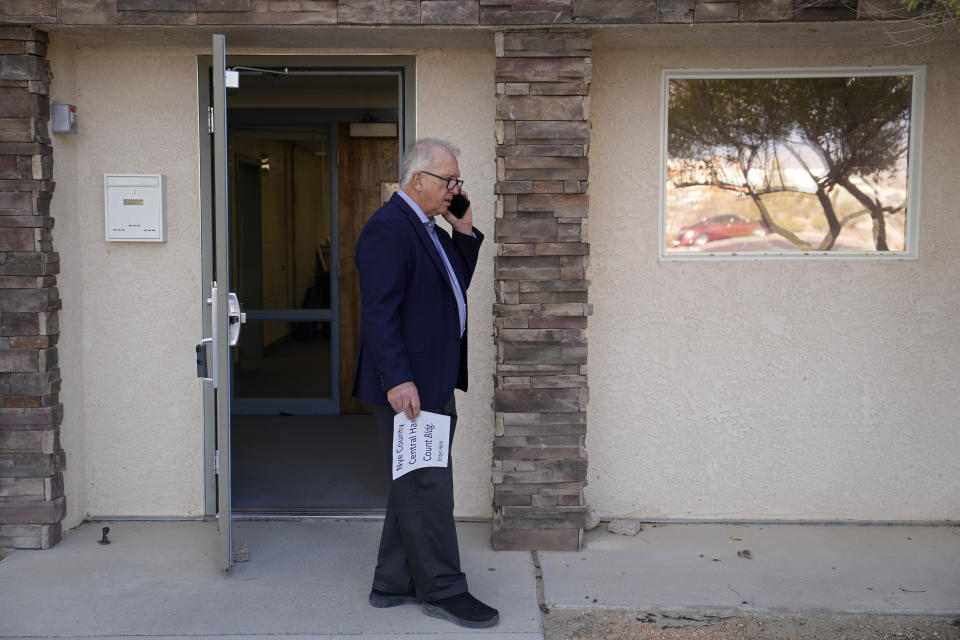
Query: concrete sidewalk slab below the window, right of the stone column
(754,568)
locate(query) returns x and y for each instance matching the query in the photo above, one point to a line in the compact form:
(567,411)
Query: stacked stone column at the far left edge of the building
(31,460)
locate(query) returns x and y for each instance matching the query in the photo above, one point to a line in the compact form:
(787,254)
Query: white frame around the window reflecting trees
(914,158)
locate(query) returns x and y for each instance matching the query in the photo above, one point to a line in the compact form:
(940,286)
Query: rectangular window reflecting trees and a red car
(790,163)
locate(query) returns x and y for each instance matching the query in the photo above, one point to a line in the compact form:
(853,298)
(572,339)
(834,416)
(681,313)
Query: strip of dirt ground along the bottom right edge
(705,625)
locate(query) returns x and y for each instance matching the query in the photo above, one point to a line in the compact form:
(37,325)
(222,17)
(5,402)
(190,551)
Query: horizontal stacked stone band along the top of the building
(503,13)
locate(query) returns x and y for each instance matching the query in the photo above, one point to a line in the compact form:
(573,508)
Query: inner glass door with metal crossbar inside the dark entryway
(284,264)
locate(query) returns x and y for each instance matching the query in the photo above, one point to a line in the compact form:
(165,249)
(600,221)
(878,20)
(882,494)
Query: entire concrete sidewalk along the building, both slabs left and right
(311,578)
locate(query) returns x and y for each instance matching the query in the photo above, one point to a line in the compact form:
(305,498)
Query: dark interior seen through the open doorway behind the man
(313,152)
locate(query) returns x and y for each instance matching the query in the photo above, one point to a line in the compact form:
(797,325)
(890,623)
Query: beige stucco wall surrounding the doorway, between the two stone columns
(132,404)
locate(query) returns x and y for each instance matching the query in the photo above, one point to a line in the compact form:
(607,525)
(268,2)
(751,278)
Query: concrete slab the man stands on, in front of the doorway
(303,579)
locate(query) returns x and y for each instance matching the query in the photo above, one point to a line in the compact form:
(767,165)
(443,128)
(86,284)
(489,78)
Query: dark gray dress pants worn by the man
(418,546)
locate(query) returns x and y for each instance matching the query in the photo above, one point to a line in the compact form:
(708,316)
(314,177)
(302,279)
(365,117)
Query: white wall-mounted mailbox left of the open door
(134,207)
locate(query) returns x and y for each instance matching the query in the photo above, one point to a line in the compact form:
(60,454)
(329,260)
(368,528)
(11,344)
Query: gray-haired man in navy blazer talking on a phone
(413,353)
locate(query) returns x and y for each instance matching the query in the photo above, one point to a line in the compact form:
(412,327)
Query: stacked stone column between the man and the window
(540,315)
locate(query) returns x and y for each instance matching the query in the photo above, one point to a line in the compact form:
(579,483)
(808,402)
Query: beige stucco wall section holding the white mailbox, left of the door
(131,316)
